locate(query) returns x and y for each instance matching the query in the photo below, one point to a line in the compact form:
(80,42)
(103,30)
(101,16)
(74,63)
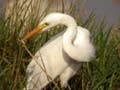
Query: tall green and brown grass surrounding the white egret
(101,74)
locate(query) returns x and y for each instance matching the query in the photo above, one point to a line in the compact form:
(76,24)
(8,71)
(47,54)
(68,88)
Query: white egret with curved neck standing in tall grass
(62,54)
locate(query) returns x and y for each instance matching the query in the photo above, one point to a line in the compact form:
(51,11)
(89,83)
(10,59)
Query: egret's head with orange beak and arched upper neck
(52,20)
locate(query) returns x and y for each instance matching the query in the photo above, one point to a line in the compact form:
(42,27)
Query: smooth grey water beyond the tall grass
(101,8)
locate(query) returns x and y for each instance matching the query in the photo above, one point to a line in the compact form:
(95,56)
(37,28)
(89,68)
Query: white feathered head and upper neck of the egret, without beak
(54,19)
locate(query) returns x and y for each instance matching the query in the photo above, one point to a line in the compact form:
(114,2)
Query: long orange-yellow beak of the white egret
(35,31)
